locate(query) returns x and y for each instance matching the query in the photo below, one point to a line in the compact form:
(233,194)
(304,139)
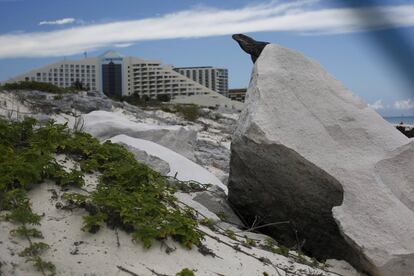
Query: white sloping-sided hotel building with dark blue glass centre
(115,75)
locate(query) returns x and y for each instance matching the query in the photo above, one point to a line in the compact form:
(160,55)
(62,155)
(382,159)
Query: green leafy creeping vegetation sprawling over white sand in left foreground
(129,195)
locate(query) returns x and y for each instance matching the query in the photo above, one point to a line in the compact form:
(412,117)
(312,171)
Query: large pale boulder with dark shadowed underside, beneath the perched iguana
(309,151)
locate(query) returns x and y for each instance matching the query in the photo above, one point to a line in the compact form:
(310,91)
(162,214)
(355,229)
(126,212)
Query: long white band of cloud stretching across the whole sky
(294,16)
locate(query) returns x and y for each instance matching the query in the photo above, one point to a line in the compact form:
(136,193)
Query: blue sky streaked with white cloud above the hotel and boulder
(369,46)
